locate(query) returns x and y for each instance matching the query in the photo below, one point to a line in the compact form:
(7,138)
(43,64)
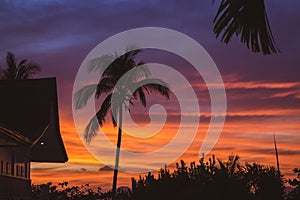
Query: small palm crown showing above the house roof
(14,70)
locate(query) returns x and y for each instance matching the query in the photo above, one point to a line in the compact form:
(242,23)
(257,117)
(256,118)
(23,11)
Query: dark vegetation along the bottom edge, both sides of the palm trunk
(210,180)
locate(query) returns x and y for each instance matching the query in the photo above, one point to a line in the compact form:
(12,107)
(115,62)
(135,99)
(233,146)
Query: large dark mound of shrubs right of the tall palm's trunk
(211,180)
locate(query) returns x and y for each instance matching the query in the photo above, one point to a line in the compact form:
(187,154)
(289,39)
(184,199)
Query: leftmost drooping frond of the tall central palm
(82,96)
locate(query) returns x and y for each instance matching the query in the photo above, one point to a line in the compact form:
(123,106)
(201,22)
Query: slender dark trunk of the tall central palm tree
(116,170)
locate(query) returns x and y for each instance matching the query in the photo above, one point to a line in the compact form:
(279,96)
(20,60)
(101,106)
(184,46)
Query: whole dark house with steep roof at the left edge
(29,132)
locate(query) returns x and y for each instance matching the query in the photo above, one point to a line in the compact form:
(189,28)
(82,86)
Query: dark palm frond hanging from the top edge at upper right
(247,19)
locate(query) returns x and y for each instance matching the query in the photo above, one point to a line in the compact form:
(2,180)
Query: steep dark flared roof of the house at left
(30,108)
